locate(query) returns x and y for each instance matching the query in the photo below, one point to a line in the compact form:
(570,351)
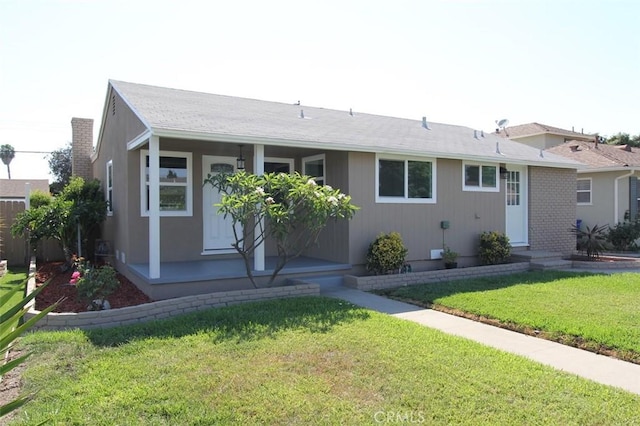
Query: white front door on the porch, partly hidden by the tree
(217,230)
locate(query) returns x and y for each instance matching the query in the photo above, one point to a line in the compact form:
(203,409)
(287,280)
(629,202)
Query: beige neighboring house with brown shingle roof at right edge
(608,187)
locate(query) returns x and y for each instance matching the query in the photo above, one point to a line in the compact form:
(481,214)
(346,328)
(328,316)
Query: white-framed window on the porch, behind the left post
(175,183)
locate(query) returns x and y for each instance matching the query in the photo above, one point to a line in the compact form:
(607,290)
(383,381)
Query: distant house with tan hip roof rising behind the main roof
(541,136)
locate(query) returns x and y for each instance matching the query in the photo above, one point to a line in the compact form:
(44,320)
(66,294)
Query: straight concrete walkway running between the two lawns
(599,368)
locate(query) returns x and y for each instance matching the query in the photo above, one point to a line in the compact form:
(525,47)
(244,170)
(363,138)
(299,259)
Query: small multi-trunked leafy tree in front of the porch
(295,207)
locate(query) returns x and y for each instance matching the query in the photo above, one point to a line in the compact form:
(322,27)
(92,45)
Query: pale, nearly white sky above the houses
(467,62)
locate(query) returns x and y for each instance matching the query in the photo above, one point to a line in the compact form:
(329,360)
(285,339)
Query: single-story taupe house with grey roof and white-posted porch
(405,175)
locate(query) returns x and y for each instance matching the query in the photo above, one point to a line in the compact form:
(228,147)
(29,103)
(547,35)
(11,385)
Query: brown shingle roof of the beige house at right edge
(601,156)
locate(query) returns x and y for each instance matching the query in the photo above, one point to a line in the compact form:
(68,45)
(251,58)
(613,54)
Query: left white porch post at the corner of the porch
(154,207)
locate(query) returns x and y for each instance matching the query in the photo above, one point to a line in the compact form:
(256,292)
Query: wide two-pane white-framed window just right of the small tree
(400,180)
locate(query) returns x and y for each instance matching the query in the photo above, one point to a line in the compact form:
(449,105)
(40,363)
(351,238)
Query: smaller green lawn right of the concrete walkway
(604,310)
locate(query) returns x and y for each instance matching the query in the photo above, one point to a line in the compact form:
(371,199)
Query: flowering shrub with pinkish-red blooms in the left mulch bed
(94,284)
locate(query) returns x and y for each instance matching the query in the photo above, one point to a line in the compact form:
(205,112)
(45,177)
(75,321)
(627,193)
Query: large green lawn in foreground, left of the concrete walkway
(300,361)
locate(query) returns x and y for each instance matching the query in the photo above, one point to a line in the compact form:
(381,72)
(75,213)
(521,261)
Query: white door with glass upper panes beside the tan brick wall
(517,194)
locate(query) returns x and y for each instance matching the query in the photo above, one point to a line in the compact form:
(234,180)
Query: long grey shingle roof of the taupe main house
(181,113)
